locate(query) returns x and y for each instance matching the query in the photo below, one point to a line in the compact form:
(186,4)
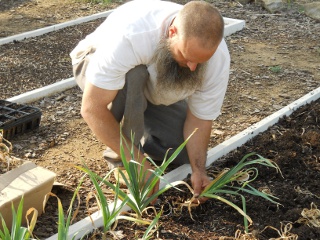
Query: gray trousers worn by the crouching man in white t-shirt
(156,128)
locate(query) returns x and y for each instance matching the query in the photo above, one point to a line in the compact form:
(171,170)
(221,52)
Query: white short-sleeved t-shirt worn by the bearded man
(129,37)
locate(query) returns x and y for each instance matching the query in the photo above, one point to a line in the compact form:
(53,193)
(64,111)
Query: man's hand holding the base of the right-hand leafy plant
(199,181)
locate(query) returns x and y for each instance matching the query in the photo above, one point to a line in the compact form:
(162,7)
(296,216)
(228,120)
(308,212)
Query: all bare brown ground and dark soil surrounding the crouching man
(275,60)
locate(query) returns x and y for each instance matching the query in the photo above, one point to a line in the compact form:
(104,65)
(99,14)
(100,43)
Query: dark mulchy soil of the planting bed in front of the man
(292,143)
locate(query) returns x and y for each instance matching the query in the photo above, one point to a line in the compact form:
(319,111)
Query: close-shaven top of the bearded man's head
(201,20)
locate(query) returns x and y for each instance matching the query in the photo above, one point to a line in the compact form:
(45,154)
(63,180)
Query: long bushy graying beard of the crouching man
(171,76)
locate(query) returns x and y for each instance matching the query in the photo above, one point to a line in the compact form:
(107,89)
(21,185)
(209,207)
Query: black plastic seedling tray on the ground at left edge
(16,119)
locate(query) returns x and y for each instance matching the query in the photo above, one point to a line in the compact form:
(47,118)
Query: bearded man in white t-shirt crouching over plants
(162,70)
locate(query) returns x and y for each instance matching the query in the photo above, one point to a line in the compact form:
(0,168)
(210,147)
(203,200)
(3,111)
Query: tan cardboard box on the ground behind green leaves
(28,180)
